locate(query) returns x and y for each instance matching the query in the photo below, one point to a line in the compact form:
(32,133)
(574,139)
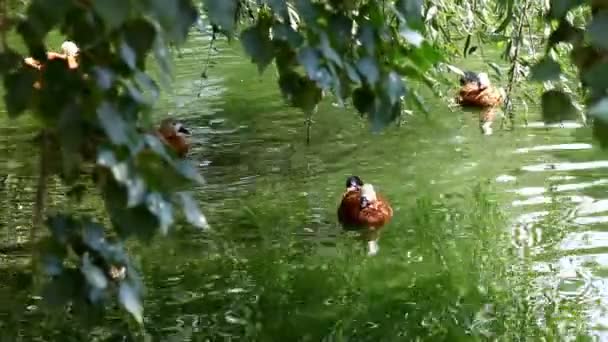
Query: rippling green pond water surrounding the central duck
(479,248)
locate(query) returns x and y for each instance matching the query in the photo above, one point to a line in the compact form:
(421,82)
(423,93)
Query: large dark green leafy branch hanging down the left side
(91,119)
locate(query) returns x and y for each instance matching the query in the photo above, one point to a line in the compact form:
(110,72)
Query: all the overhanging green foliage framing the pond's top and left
(373,53)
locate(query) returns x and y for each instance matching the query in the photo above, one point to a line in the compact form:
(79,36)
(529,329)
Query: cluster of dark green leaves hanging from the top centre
(321,40)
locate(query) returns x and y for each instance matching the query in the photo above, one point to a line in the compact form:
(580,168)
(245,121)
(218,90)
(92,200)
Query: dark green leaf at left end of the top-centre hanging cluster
(257,44)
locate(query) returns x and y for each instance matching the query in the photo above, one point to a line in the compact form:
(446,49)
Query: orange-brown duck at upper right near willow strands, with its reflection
(476,90)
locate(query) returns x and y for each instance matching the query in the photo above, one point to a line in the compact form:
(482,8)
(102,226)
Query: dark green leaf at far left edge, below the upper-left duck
(19,90)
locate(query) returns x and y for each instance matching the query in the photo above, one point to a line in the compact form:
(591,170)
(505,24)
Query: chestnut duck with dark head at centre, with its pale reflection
(365,211)
